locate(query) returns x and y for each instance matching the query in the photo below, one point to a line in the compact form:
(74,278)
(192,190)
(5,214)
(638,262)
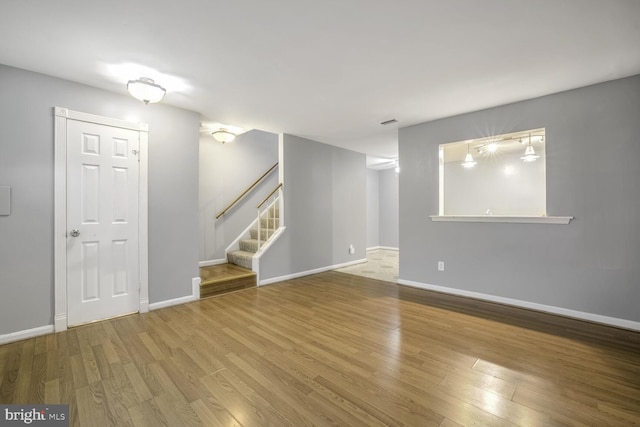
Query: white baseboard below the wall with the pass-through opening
(591,317)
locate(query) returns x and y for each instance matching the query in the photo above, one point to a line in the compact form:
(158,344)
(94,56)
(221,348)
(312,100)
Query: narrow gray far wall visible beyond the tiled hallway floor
(389,228)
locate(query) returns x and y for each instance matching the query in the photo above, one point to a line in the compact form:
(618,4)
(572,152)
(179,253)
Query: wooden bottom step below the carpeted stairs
(224,278)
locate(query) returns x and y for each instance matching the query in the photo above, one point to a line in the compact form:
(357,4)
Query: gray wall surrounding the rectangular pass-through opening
(590,265)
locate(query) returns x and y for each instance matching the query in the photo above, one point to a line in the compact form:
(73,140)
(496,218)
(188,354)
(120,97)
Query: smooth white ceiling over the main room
(328,70)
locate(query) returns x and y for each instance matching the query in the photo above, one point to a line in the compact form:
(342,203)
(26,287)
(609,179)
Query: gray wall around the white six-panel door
(26,164)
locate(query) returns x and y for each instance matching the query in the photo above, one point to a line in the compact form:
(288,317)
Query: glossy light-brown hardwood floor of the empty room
(332,349)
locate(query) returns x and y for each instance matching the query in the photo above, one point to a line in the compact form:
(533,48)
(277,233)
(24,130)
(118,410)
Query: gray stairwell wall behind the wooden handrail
(226,170)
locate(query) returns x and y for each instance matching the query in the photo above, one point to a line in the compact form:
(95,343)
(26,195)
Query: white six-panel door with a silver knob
(102,221)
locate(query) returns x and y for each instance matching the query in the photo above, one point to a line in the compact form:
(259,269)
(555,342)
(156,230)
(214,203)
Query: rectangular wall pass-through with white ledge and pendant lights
(500,178)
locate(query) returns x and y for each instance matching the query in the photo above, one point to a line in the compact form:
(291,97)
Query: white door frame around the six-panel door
(60,318)
